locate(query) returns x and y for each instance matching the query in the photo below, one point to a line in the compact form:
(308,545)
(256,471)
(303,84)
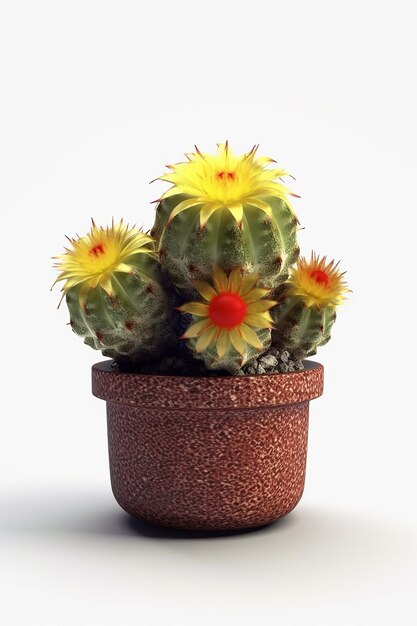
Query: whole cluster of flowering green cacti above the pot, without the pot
(223,252)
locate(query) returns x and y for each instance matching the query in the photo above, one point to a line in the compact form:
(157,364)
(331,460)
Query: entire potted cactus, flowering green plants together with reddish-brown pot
(207,321)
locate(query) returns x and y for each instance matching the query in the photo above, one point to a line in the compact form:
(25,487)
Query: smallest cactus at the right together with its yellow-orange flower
(307,310)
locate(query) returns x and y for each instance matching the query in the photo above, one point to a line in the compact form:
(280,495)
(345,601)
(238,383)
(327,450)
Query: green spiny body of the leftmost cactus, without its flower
(135,322)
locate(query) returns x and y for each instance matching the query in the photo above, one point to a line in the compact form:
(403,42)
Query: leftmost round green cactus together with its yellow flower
(115,293)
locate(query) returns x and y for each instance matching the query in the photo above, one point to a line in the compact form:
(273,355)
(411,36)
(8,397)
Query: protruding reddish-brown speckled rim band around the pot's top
(154,391)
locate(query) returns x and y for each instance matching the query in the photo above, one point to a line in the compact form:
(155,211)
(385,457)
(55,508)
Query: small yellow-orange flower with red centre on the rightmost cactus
(318,283)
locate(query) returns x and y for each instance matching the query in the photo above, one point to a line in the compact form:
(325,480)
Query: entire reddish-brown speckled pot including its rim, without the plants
(207,453)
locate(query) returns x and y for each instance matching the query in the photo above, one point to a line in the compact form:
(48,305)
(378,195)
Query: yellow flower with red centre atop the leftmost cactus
(93,259)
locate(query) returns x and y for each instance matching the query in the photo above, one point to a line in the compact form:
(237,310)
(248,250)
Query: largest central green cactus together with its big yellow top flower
(229,210)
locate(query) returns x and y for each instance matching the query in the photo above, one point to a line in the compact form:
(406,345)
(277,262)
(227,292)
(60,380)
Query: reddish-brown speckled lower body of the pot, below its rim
(207,471)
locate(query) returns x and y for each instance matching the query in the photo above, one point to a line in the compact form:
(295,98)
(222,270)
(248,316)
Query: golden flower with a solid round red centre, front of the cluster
(231,307)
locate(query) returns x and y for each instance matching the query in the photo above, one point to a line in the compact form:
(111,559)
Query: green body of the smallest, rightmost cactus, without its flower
(299,328)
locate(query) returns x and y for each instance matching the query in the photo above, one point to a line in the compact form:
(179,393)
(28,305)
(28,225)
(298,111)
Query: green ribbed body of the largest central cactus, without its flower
(263,245)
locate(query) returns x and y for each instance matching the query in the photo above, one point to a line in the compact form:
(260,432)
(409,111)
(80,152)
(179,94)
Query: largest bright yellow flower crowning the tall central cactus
(224,180)
